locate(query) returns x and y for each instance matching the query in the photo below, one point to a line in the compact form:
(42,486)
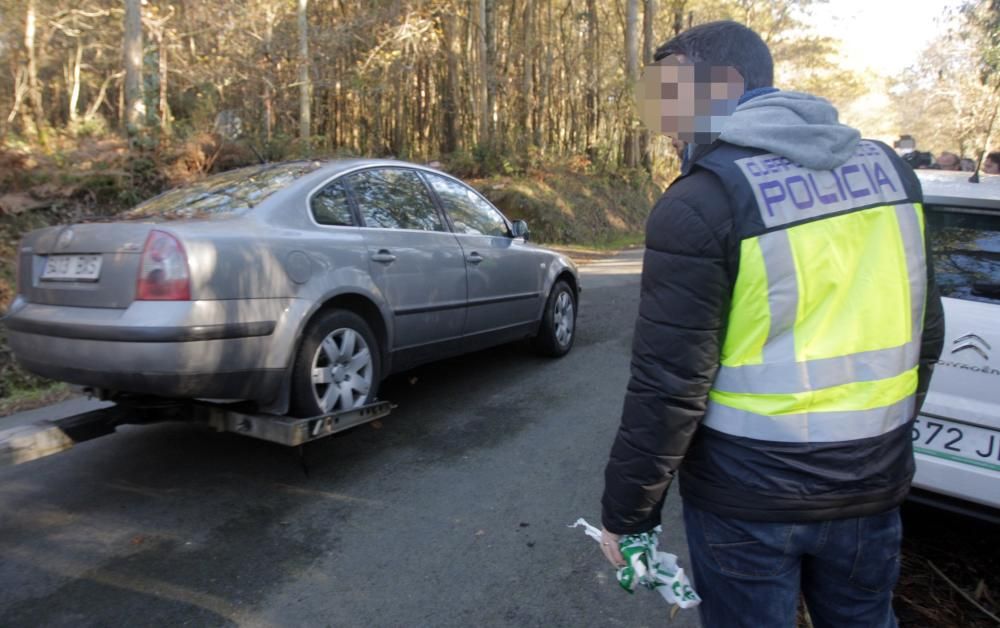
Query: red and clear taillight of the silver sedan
(163,273)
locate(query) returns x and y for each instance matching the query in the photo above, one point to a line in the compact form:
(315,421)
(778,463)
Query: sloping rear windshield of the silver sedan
(220,196)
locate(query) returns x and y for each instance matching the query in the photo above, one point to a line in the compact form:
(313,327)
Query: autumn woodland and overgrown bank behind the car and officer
(104,103)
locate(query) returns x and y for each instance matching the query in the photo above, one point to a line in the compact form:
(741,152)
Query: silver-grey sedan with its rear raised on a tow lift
(298,286)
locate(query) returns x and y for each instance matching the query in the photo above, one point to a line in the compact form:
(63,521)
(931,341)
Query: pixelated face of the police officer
(688,101)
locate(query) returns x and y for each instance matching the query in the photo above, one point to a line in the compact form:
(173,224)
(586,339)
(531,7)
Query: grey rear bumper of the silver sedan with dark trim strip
(236,349)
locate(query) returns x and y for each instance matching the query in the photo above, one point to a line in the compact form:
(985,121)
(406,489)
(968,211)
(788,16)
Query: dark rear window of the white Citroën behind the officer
(965,245)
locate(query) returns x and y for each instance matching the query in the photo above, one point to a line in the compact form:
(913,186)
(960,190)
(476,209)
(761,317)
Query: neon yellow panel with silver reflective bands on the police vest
(824,331)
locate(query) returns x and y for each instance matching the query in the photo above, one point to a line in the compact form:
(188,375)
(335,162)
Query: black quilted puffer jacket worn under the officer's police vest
(690,268)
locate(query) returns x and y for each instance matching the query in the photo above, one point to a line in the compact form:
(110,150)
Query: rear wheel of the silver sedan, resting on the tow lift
(337,367)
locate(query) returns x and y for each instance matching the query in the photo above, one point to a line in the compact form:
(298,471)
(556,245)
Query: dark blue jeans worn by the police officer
(750,573)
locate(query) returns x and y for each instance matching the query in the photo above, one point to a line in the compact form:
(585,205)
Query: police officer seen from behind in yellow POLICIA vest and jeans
(787,329)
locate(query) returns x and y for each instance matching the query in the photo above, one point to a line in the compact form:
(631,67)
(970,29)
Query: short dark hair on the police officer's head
(725,43)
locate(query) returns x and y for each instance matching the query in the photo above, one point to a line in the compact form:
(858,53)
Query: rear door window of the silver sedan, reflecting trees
(394,198)
